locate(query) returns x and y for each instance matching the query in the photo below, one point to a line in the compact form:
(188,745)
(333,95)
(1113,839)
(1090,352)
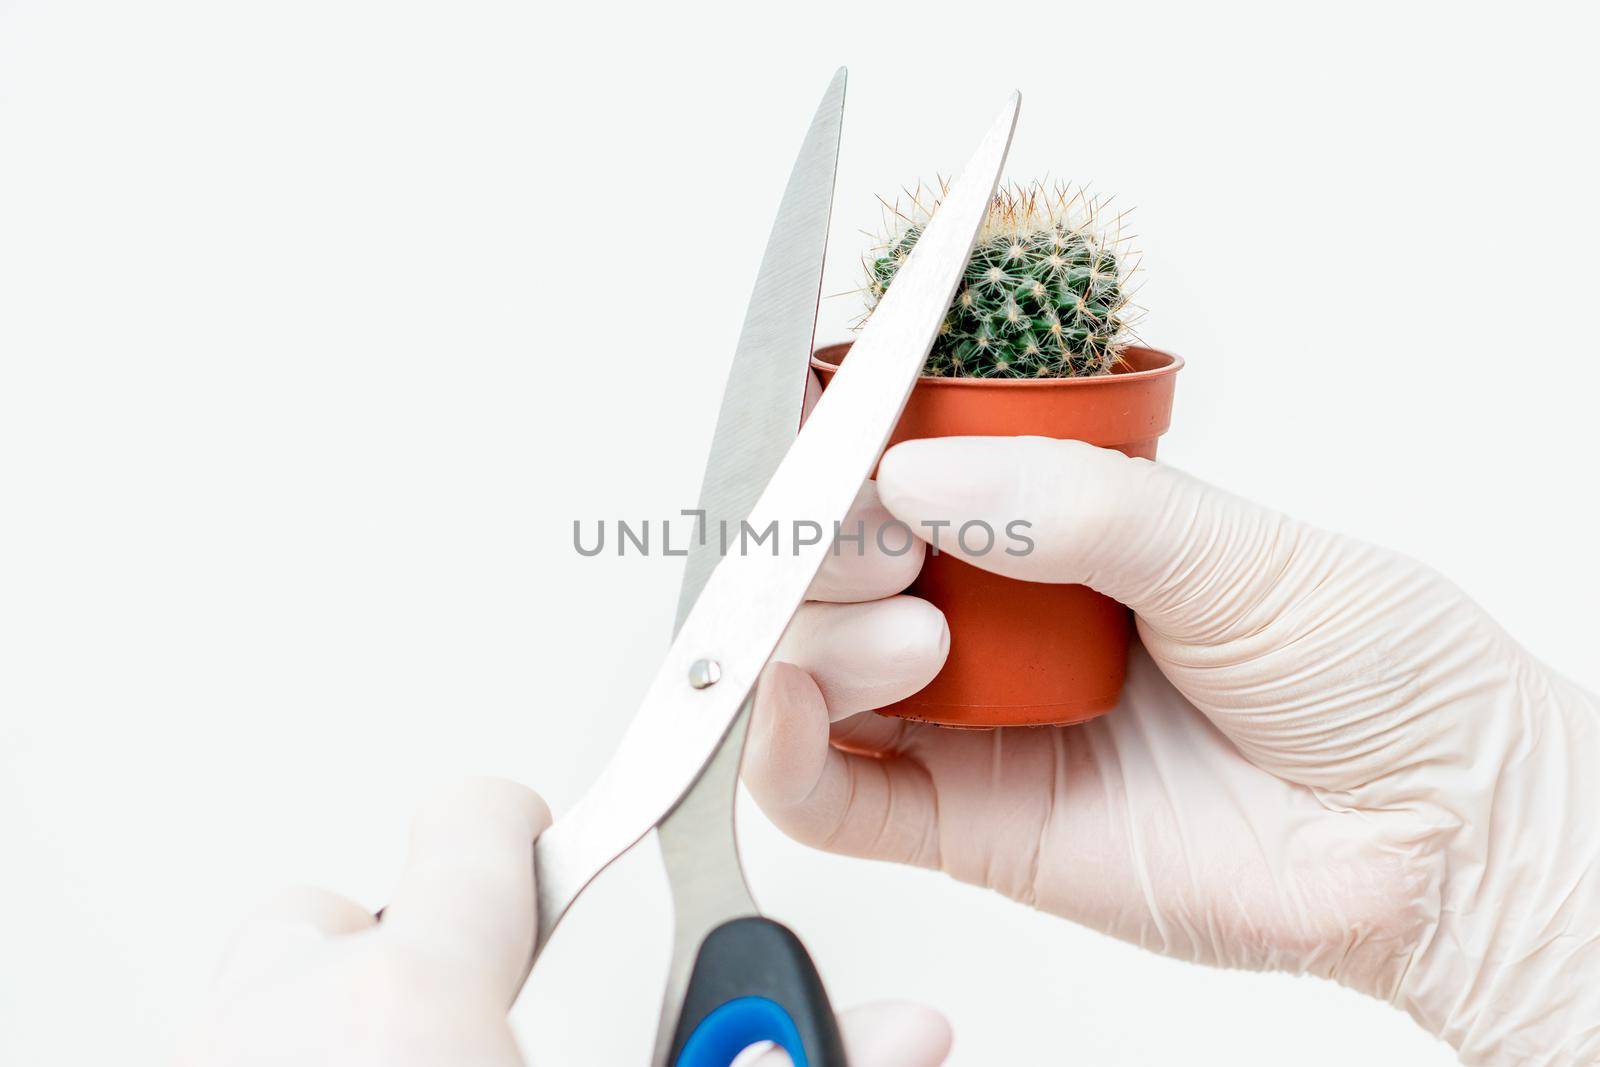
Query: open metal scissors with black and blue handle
(738,978)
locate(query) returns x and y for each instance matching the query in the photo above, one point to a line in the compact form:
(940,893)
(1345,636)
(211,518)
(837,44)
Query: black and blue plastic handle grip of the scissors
(753,981)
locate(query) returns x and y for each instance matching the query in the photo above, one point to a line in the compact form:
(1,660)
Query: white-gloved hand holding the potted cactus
(1327,759)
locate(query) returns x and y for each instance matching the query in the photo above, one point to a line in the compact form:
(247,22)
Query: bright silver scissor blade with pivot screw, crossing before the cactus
(750,599)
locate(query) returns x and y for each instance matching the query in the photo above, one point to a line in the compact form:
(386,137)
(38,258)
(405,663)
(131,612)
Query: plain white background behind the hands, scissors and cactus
(322,321)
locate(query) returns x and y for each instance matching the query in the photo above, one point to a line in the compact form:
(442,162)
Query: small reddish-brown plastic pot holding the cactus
(1025,653)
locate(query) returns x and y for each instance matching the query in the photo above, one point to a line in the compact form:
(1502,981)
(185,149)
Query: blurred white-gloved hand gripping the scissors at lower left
(316,980)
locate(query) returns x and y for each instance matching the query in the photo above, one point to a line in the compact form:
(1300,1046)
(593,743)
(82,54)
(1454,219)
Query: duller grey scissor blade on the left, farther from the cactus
(761,407)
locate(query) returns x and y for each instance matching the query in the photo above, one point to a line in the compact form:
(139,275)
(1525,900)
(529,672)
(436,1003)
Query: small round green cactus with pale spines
(1046,294)
